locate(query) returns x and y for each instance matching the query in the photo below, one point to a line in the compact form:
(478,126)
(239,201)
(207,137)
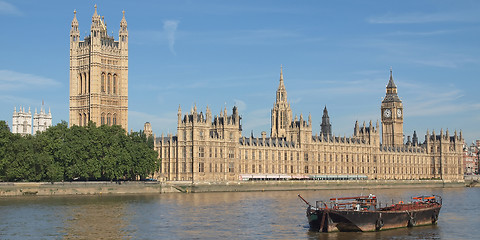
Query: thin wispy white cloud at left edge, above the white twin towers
(10,80)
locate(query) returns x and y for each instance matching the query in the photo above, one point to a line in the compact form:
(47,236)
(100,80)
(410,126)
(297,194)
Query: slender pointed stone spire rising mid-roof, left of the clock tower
(281,112)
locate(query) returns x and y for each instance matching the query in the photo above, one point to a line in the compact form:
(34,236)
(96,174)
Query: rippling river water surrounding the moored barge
(239,215)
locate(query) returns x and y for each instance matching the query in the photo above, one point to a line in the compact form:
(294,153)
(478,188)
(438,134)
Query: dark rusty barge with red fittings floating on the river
(362,214)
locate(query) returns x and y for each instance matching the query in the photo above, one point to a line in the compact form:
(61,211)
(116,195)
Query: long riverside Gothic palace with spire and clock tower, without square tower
(211,149)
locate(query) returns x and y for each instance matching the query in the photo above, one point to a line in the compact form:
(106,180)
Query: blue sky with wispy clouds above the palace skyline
(226,53)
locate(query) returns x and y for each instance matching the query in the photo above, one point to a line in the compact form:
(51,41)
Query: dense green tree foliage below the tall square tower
(76,153)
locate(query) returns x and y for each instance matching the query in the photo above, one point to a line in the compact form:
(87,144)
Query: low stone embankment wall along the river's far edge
(116,188)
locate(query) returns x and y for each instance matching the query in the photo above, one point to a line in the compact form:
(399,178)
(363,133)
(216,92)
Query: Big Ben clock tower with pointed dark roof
(392,116)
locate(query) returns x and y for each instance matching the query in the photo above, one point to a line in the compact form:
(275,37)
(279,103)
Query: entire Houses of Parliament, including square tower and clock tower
(211,148)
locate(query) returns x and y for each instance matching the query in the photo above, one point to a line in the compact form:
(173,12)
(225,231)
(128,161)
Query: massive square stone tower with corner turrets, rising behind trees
(99,75)
